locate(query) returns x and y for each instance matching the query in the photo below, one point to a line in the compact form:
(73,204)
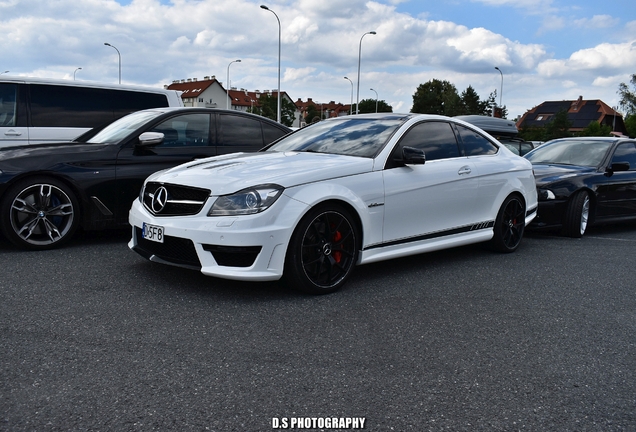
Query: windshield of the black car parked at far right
(571,152)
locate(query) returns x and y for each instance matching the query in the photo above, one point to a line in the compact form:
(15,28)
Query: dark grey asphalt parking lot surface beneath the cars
(96,338)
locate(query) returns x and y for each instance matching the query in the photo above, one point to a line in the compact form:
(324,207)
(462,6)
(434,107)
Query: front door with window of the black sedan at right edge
(617,194)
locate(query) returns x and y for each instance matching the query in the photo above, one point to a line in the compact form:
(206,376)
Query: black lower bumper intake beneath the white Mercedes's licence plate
(174,250)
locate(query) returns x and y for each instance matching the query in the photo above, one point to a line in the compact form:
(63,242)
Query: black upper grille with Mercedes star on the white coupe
(173,200)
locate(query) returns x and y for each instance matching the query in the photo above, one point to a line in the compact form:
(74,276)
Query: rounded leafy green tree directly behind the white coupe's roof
(437,97)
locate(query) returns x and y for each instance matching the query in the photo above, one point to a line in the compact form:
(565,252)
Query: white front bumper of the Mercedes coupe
(241,248)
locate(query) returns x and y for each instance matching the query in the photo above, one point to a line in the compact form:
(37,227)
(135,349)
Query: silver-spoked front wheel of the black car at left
(39,213)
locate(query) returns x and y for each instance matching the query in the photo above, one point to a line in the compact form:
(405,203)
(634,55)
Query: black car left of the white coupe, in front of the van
(48,191)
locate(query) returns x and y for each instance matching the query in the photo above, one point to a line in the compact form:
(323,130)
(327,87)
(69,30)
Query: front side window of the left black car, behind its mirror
(192,130)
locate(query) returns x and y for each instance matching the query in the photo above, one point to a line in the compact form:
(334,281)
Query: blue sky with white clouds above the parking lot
(548,50)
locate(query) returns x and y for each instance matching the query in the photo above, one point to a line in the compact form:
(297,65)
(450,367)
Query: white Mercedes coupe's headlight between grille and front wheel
(247,201)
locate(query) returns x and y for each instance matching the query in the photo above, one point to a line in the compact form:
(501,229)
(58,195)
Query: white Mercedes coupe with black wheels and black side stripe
(340,192)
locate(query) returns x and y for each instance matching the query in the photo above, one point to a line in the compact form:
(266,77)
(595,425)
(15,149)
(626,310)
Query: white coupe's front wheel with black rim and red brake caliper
(323,250)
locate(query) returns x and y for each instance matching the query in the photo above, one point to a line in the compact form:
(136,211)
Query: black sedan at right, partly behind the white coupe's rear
(583,181)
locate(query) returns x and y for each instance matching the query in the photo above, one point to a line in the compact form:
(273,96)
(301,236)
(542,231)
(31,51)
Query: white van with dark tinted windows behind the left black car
(36,110)
